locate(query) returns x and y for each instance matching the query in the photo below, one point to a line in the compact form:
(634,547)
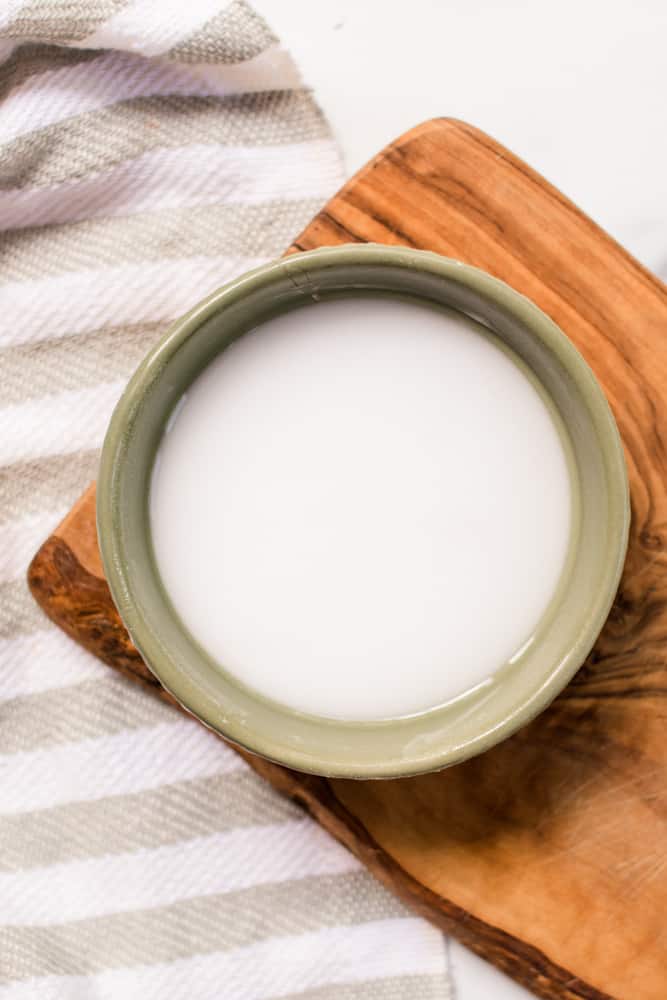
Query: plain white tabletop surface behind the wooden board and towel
(575,88)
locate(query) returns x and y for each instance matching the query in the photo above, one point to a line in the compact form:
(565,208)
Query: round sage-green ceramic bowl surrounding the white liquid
(461,728)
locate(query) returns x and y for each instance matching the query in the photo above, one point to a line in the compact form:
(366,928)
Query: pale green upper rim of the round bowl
(299,269)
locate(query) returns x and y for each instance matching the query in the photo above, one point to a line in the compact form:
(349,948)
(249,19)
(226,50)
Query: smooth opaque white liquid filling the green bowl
(362,508)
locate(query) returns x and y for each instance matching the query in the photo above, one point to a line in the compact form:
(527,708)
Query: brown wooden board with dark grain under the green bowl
(547,855)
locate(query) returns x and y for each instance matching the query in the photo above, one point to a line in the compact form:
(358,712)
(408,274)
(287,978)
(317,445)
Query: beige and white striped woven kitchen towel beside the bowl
(148,152)
